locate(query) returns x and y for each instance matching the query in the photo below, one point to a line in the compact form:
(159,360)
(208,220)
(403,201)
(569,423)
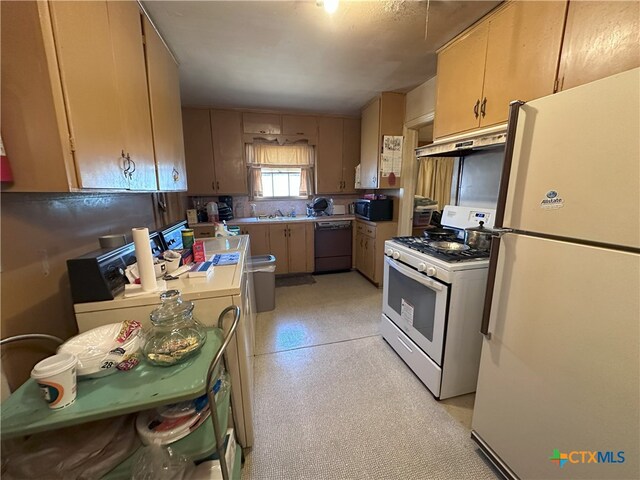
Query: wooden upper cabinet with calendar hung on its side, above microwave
(382,116)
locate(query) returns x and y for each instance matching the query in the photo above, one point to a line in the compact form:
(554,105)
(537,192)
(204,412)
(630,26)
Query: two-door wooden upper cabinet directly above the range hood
(510,55)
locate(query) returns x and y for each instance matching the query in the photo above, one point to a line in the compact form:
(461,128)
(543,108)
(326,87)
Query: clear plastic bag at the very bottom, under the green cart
(155,462)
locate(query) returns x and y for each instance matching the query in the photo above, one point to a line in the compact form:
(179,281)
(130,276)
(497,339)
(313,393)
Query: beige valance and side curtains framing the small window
(273,155)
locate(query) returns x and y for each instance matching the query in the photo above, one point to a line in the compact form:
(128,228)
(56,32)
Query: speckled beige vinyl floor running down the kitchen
(334,401)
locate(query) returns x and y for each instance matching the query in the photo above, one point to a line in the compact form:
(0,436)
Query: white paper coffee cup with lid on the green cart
(56,377)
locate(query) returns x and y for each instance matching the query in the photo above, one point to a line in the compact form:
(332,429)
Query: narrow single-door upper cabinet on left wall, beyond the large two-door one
(166,115)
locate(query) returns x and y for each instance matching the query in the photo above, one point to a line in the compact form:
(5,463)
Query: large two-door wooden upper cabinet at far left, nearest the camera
(75,110)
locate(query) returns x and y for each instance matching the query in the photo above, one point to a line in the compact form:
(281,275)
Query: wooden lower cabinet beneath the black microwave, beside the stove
(369,247)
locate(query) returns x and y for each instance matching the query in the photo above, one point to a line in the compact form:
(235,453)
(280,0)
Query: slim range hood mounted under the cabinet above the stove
(463,144)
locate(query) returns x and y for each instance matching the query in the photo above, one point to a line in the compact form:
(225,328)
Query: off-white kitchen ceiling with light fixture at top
(293,55)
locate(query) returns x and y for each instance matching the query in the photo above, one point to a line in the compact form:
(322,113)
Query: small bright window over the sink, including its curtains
(280,171)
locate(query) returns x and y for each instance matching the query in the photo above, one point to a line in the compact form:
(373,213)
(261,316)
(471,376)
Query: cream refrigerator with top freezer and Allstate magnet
(558,388)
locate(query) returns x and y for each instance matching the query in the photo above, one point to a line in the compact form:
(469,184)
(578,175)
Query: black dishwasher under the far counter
(332,246)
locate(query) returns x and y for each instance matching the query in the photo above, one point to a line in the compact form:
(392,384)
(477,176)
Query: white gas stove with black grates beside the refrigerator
(432,303)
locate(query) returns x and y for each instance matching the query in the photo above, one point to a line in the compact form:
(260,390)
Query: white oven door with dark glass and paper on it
(417,304)
